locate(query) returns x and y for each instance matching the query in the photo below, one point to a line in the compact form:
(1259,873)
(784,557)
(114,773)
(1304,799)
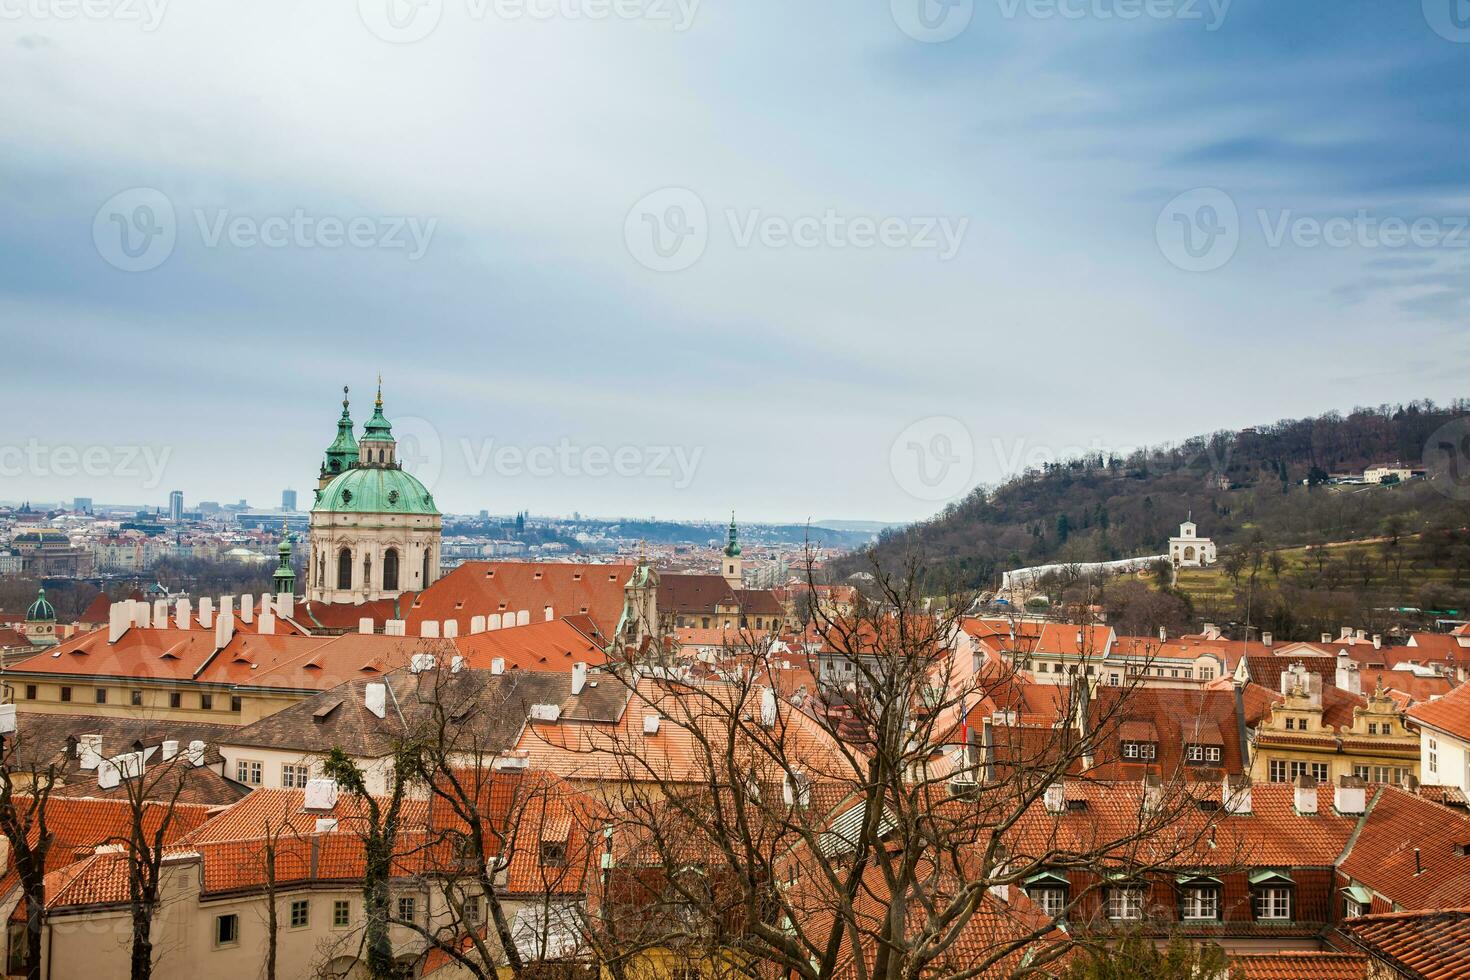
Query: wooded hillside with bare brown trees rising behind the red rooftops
(1266,484)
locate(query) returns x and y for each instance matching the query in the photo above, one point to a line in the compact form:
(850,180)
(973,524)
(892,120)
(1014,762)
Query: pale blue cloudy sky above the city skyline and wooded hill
(678,258)
